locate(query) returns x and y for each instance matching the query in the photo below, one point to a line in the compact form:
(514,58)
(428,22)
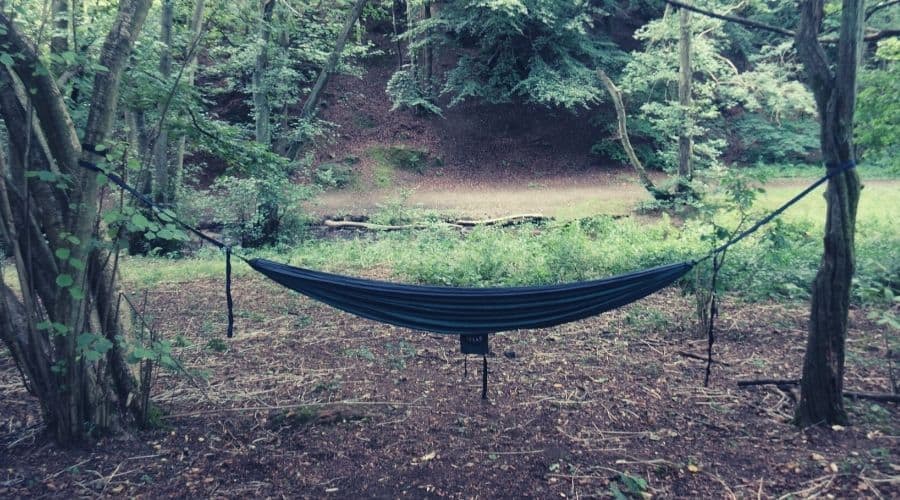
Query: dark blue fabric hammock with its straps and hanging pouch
(471,313)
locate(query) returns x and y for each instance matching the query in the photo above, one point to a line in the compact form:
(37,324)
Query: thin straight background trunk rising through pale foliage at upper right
(685,139)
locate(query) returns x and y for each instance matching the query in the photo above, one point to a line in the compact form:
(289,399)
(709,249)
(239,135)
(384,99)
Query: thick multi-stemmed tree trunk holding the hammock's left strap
(66,295)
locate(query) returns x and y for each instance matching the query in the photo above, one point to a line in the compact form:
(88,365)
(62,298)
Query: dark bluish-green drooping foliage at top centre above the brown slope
(539,51)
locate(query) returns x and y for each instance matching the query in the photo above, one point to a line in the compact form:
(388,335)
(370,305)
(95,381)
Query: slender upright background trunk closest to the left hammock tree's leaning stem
(163,191)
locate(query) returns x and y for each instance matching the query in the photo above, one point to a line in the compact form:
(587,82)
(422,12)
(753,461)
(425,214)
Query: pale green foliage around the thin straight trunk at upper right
(775,113)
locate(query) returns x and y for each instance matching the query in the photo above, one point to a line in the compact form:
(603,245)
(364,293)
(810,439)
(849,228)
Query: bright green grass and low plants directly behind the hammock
(777,262)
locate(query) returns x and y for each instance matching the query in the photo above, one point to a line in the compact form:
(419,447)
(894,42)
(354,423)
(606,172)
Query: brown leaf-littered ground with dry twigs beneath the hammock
(310,402)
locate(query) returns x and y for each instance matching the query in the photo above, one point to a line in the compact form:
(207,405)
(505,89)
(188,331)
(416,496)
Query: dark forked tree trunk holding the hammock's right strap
(821,386)
